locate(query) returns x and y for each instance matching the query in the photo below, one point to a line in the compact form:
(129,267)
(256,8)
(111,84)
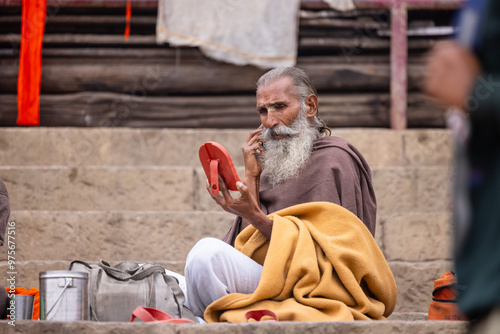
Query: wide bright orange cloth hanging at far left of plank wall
(30,62)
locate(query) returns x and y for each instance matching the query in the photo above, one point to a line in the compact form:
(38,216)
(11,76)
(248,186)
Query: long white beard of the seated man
(284,158)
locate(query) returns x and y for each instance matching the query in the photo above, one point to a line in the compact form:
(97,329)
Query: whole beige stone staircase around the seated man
(139,194)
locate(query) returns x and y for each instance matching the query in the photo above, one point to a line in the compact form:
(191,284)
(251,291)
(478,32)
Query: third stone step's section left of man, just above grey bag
(113,235)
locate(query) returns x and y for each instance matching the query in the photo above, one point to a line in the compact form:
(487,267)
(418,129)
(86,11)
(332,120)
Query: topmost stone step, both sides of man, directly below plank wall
(76,147)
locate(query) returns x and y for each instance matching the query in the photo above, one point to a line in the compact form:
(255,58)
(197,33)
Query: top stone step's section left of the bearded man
(77,147)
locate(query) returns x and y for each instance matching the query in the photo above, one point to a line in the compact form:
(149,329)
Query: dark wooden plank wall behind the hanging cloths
(92,77)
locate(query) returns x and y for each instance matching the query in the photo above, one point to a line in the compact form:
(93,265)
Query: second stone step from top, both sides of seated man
(398,189)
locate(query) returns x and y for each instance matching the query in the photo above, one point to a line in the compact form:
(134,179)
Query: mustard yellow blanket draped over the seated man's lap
(321,264)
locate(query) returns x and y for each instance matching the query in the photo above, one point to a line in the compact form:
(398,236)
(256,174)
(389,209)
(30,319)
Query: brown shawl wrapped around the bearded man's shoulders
(336,172)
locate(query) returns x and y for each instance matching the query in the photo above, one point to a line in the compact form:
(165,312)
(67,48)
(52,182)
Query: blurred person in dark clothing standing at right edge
(464,74)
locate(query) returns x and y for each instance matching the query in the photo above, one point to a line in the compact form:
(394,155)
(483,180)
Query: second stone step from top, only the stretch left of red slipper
(99,188)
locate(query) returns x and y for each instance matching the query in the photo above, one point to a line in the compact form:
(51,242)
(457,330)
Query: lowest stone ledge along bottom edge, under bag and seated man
(357,327)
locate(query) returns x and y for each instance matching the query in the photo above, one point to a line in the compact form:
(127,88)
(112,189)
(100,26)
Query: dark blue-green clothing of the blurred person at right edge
(478,258)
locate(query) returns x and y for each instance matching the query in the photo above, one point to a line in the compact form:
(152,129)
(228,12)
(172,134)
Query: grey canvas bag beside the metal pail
(114,292)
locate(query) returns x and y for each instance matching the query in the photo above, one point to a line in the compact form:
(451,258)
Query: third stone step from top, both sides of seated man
(169,235)
